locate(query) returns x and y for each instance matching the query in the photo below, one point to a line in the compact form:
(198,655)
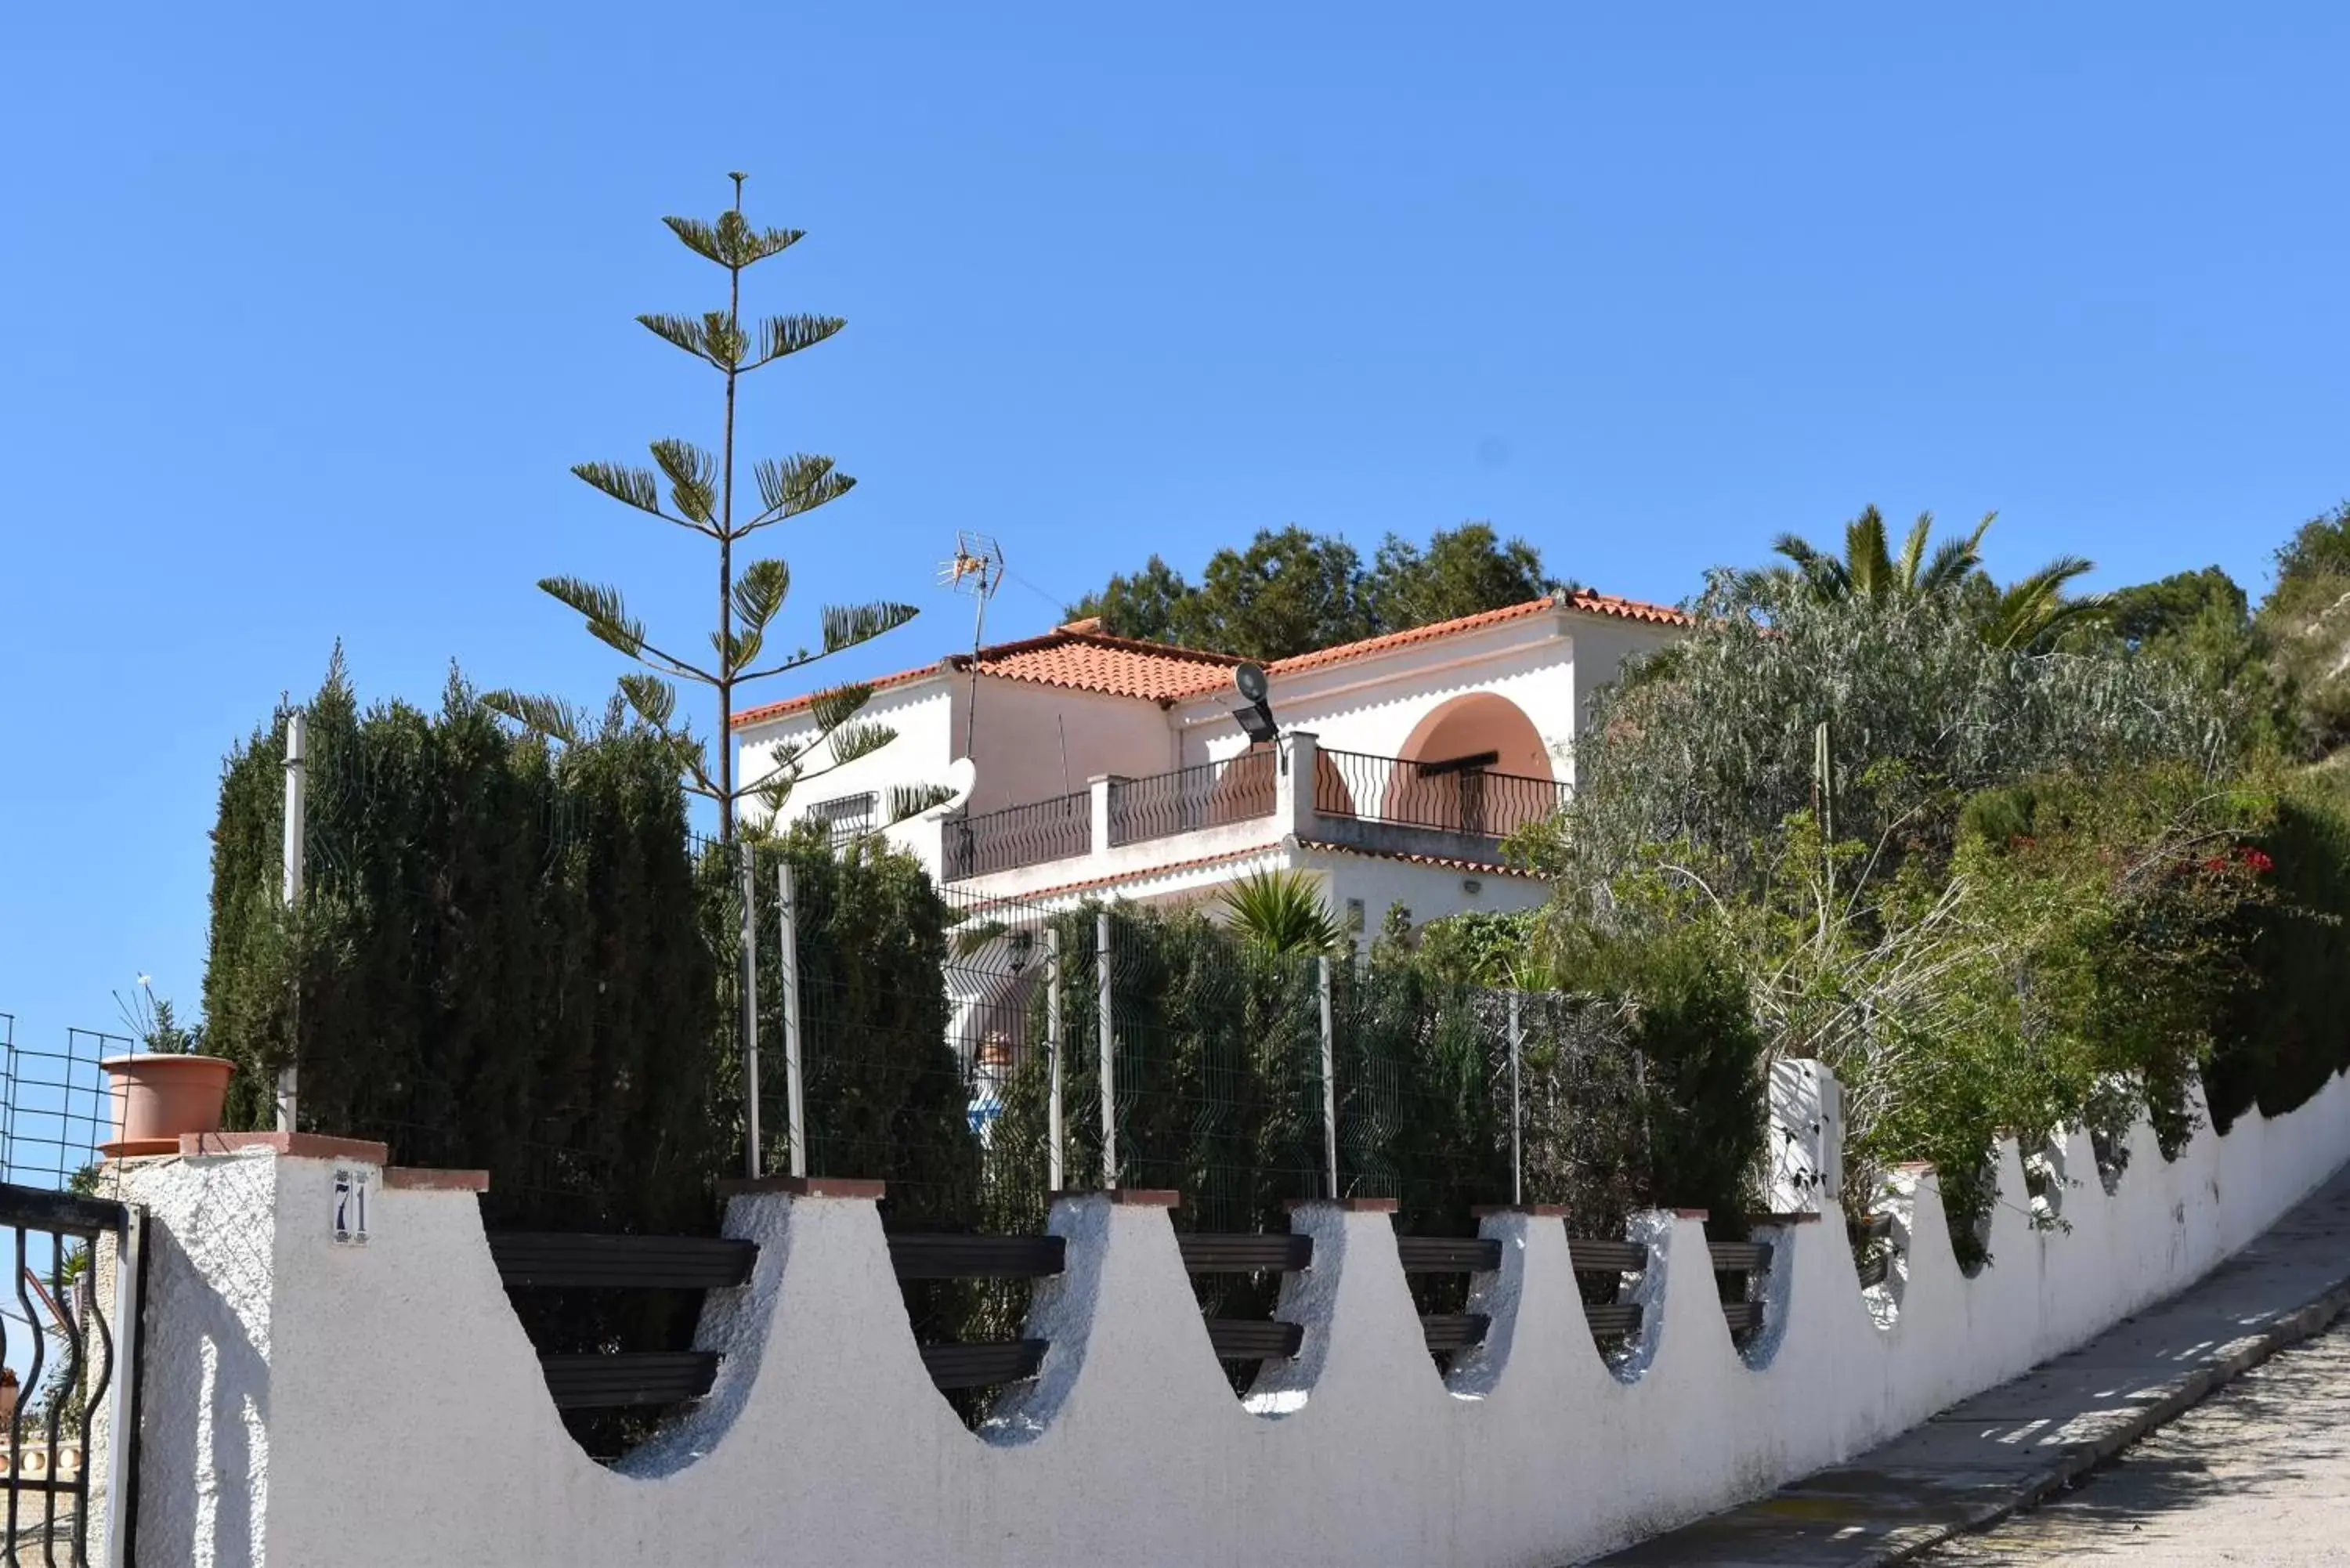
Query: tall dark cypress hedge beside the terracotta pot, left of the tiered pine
(495,963)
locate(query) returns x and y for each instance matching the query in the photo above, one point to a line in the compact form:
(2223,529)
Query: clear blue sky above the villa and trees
(309,309)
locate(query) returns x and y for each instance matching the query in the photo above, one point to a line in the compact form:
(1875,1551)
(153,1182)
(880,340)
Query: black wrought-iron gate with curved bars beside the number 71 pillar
(67,1416)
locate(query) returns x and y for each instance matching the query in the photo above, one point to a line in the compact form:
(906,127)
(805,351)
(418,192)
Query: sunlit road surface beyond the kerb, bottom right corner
(2255,1475)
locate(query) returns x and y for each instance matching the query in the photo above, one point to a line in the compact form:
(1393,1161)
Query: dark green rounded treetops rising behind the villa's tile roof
(1294,591)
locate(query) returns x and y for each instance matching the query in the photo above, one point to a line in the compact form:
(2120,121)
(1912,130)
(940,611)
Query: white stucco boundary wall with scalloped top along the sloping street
(318,1405)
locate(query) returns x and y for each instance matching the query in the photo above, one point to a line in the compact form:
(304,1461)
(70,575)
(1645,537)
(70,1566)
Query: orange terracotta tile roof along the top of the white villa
(1082,657)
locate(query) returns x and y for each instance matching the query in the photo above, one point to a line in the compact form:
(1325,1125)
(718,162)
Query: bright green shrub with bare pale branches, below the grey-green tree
(2064,963)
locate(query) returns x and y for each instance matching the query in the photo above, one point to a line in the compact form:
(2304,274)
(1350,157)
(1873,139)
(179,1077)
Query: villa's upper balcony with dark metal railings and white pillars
(1453,808)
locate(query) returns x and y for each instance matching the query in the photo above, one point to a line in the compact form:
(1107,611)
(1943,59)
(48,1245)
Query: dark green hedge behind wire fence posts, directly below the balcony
(1644,1090)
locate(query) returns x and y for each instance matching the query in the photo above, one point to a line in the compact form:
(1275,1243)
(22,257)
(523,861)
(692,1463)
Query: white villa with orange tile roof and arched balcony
(1103,768)
